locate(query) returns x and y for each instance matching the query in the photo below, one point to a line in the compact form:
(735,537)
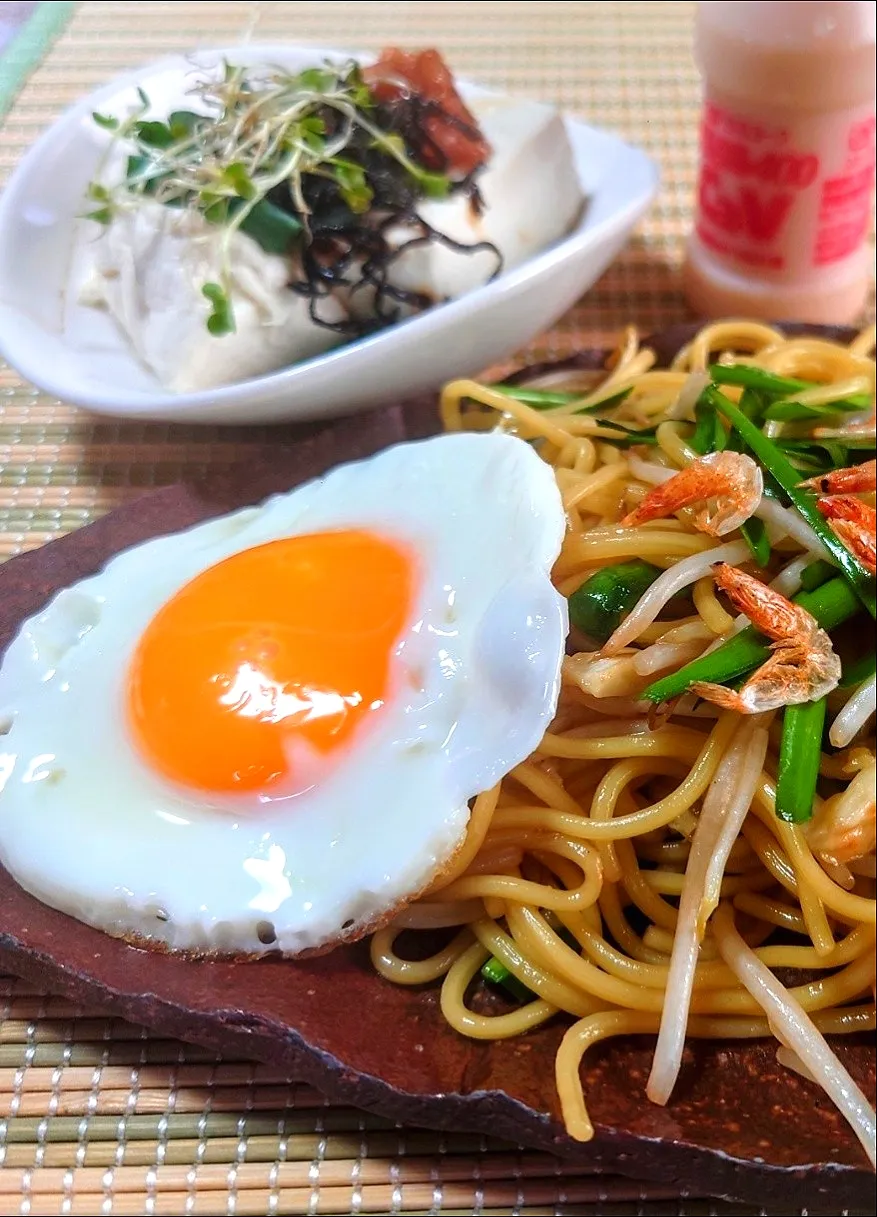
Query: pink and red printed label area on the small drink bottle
(785,199)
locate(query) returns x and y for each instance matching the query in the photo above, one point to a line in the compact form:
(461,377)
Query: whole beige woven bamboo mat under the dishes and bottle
(100,1117)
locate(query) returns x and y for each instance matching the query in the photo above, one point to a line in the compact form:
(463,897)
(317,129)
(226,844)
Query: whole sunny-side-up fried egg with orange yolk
(265,733)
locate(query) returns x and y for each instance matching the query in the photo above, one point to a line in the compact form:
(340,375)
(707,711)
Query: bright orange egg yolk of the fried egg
(271,659)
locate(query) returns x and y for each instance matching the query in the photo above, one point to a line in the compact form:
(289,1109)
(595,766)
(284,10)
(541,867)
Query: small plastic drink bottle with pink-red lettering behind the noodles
(788,171)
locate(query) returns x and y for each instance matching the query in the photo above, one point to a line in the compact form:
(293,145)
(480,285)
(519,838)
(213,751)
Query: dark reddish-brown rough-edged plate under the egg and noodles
(739,1125)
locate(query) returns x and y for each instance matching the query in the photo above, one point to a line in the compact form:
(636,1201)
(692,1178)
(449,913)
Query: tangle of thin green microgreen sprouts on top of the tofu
(288,159)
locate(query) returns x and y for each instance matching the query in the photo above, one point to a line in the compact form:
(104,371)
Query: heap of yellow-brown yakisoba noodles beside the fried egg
(591,873)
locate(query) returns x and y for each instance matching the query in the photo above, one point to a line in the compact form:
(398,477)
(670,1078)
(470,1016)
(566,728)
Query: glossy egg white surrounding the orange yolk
(91,829)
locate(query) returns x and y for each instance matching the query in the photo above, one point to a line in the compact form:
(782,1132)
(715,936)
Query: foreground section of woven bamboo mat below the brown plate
(103,1117)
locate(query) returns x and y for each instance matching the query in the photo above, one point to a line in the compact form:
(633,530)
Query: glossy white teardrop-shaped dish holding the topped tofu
(40,211)
